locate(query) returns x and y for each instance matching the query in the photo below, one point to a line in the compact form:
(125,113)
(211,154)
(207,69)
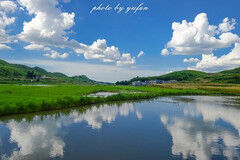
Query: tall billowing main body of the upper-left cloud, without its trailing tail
(49,25)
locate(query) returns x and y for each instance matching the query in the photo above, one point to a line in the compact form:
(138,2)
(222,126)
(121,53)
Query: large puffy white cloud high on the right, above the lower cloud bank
(199,37)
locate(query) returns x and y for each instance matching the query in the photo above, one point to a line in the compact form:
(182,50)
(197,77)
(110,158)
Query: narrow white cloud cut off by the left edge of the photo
(6,7)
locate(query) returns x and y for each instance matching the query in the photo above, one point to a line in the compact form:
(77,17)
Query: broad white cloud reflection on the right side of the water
(203,139)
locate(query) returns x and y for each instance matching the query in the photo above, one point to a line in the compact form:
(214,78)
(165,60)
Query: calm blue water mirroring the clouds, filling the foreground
(165,128)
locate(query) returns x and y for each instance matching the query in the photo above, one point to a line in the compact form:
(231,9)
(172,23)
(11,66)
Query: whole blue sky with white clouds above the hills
(69,36)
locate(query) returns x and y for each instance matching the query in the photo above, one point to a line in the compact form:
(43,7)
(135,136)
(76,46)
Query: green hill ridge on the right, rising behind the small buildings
(228,76)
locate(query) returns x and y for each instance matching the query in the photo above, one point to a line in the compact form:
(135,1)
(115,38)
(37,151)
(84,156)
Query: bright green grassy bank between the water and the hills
(15,99)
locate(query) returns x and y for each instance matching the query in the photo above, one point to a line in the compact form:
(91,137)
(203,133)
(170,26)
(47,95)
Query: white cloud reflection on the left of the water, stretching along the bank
(40,138)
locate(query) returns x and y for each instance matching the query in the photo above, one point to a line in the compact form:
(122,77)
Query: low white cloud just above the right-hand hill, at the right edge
(212,63)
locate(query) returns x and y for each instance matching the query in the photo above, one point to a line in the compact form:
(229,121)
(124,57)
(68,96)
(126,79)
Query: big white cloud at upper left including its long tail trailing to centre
(49,28)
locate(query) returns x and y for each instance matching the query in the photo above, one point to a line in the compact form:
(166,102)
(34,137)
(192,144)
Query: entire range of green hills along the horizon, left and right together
(17,73)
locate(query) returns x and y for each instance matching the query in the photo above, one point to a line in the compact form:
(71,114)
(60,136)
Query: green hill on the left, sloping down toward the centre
(16,73)
